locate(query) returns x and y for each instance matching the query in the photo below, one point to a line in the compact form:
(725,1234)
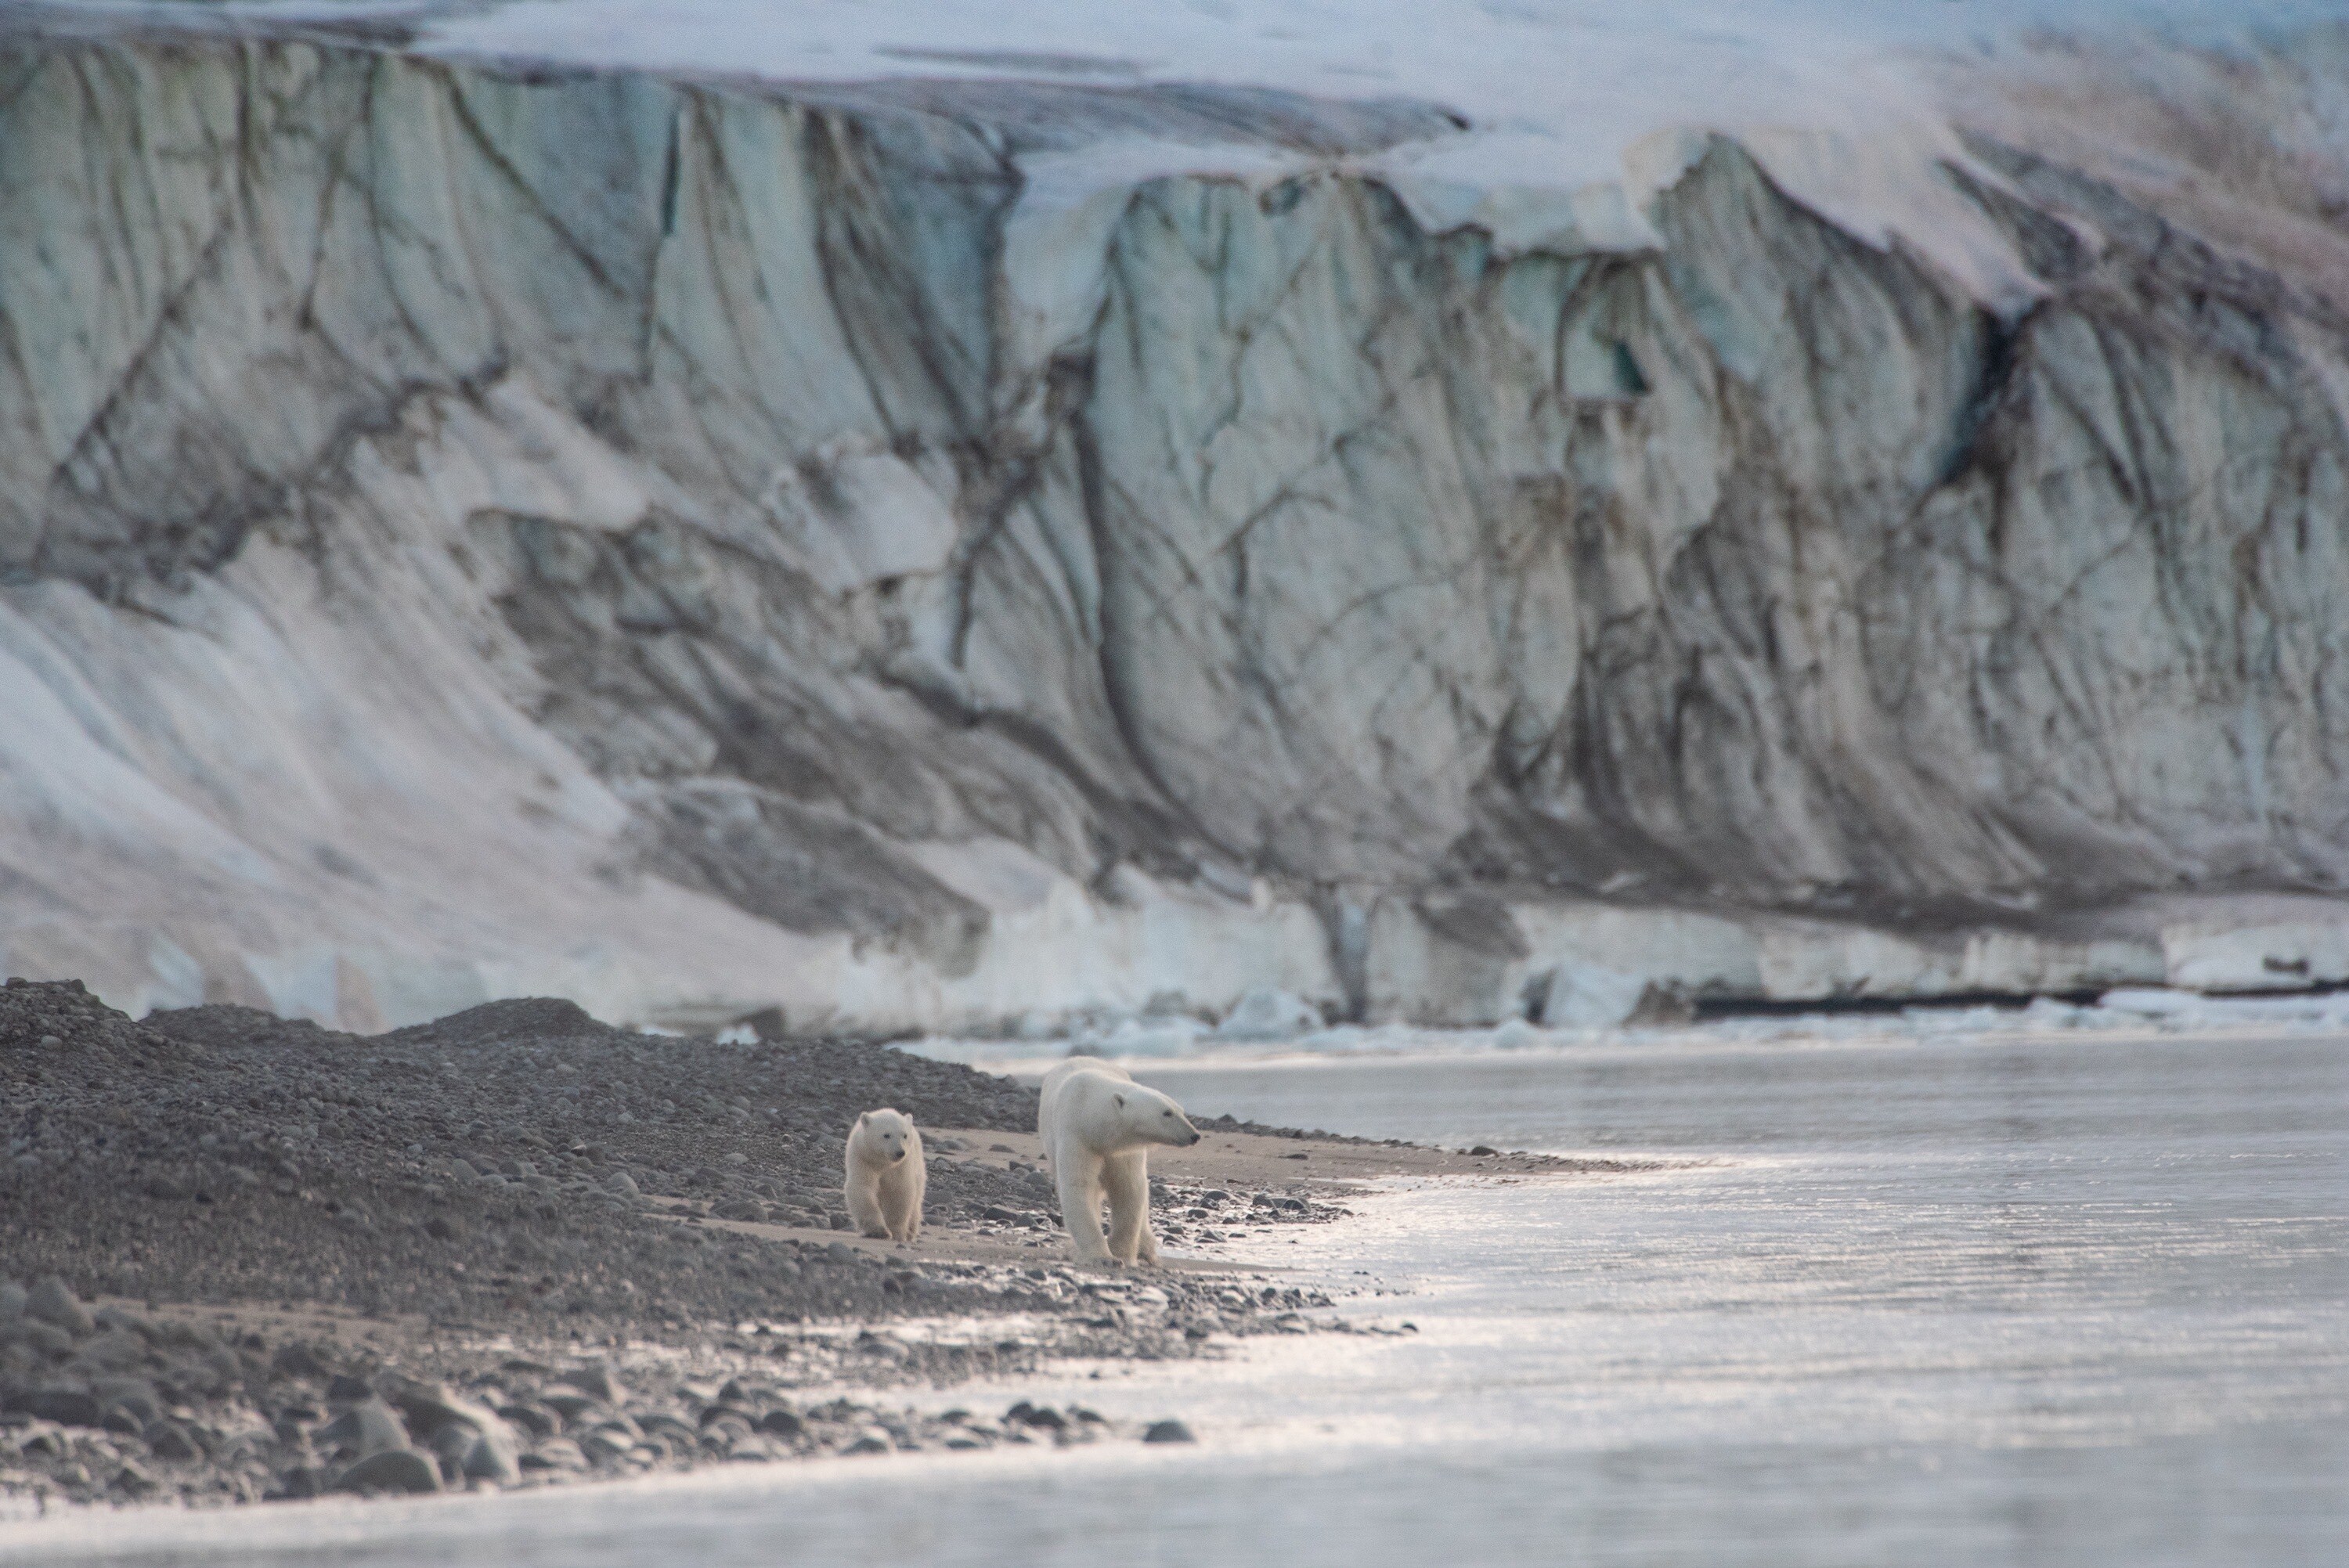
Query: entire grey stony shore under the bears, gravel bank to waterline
(248,1259)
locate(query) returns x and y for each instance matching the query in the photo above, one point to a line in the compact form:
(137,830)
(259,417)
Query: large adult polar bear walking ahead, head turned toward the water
(1098,1128)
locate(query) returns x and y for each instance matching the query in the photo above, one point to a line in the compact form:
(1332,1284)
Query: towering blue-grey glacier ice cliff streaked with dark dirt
(927,550)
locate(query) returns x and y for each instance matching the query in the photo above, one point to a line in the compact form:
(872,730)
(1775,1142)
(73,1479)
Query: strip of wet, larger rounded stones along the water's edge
(121,1407)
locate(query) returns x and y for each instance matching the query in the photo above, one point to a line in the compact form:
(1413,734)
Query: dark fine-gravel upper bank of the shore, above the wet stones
(492,1165)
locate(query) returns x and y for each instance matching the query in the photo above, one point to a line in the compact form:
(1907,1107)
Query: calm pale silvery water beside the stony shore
(1948,1299)
